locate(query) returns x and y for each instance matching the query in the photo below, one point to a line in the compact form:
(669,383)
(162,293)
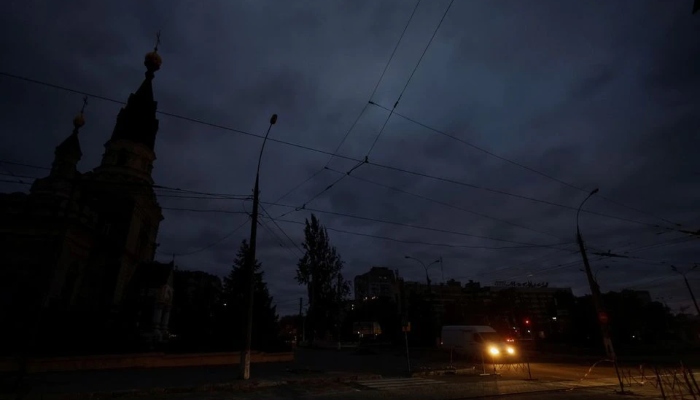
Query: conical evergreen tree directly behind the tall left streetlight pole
(234,301)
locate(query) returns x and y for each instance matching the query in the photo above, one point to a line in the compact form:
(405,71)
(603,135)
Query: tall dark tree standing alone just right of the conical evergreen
(320,269)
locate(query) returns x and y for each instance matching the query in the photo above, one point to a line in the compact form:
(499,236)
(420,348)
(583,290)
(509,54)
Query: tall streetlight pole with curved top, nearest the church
(248,333)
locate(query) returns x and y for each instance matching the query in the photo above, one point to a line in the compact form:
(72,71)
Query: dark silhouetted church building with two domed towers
(78,250)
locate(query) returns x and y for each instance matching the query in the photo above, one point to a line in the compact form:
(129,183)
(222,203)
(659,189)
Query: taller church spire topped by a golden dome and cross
(137,121)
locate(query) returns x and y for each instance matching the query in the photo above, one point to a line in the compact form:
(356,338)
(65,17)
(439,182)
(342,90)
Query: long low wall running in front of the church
(145,360)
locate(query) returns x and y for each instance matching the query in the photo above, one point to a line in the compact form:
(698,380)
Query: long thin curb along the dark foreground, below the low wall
(218,387)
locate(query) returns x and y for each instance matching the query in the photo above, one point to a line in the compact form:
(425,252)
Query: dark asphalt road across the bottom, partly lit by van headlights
(390,365)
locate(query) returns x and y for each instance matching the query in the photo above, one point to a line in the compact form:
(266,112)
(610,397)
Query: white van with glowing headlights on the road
(477,340)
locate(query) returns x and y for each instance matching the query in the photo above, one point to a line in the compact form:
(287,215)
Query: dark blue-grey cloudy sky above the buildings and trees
(516,111)
